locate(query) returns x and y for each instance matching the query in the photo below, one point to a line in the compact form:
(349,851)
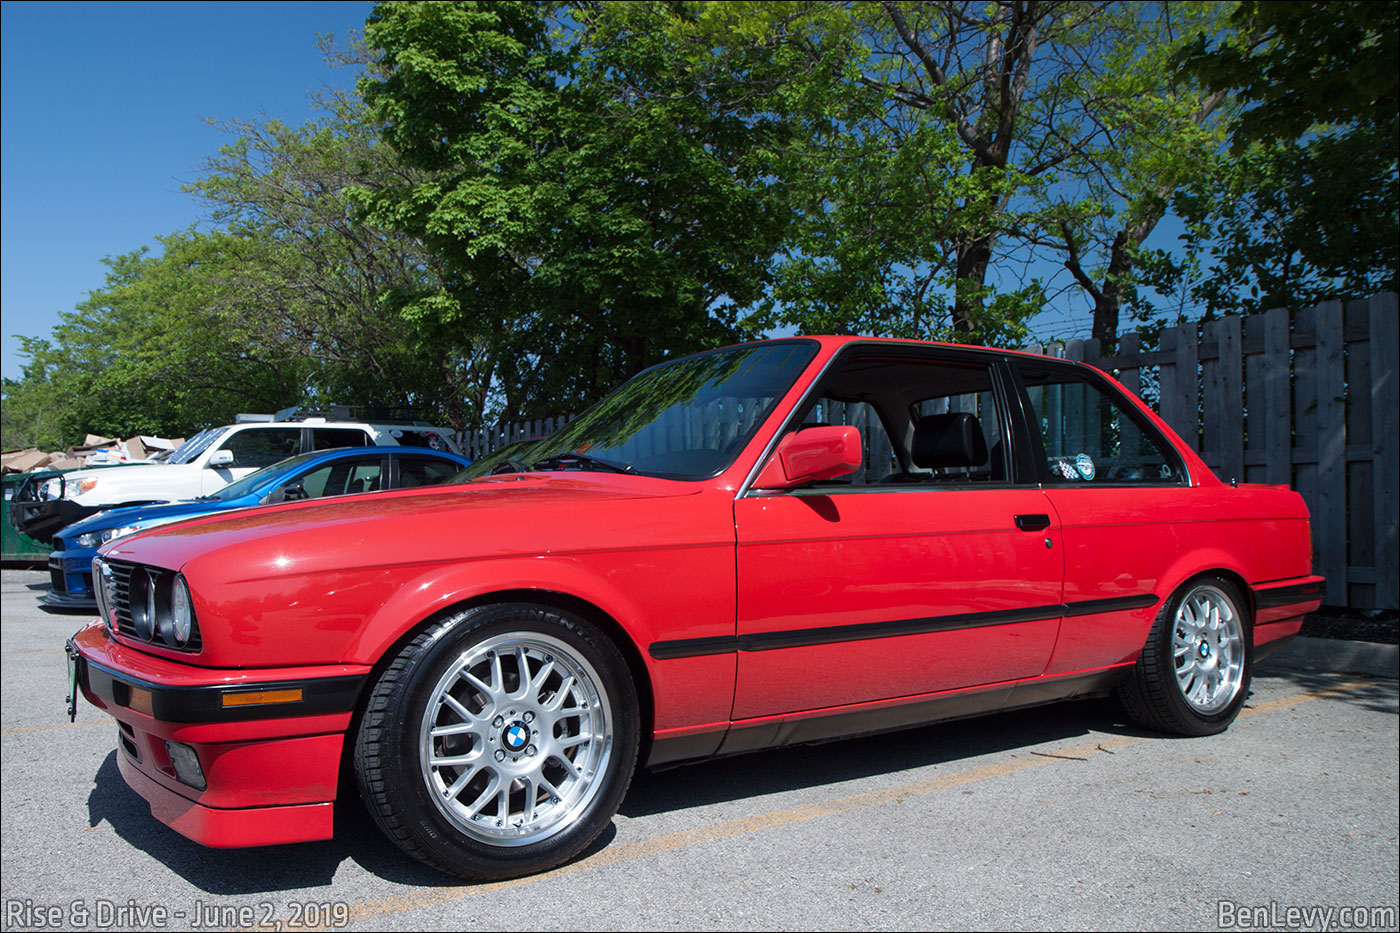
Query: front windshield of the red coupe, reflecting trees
(687,420)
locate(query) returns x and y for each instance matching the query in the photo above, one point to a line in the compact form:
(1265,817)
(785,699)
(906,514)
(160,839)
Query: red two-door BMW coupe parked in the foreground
(761,546)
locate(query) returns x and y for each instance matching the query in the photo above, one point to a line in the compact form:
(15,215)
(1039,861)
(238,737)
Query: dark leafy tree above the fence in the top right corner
(1304,207)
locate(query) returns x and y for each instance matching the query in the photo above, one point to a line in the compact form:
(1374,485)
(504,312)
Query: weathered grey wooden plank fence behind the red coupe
(1303,399)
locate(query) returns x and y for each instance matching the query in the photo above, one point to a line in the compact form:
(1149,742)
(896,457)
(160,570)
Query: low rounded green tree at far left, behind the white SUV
(148,355)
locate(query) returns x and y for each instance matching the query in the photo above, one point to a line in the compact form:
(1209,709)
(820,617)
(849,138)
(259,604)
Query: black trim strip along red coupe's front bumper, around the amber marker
(323,696)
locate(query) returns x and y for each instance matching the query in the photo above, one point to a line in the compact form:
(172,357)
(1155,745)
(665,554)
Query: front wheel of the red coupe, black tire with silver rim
(500,742)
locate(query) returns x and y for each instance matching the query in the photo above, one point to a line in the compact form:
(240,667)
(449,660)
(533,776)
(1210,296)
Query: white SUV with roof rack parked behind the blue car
(208,463)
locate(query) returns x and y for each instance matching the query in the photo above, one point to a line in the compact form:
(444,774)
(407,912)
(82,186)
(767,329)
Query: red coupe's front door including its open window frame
(926,571)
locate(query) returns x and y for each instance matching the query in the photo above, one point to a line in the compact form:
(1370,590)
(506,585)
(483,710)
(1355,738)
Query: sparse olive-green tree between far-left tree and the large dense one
(323,285)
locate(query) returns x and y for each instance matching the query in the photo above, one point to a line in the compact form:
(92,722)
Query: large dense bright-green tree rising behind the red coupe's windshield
(597,207)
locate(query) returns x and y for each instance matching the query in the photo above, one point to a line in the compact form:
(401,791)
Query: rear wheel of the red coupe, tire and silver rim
(1193,680)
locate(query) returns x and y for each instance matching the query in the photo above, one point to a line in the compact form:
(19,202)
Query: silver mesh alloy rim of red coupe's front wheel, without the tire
(516,739)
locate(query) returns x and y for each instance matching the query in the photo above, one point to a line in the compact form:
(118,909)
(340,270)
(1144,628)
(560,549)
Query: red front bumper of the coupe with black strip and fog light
(269,768)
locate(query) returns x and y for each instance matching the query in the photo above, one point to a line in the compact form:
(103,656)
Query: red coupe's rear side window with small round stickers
(1090,438)
